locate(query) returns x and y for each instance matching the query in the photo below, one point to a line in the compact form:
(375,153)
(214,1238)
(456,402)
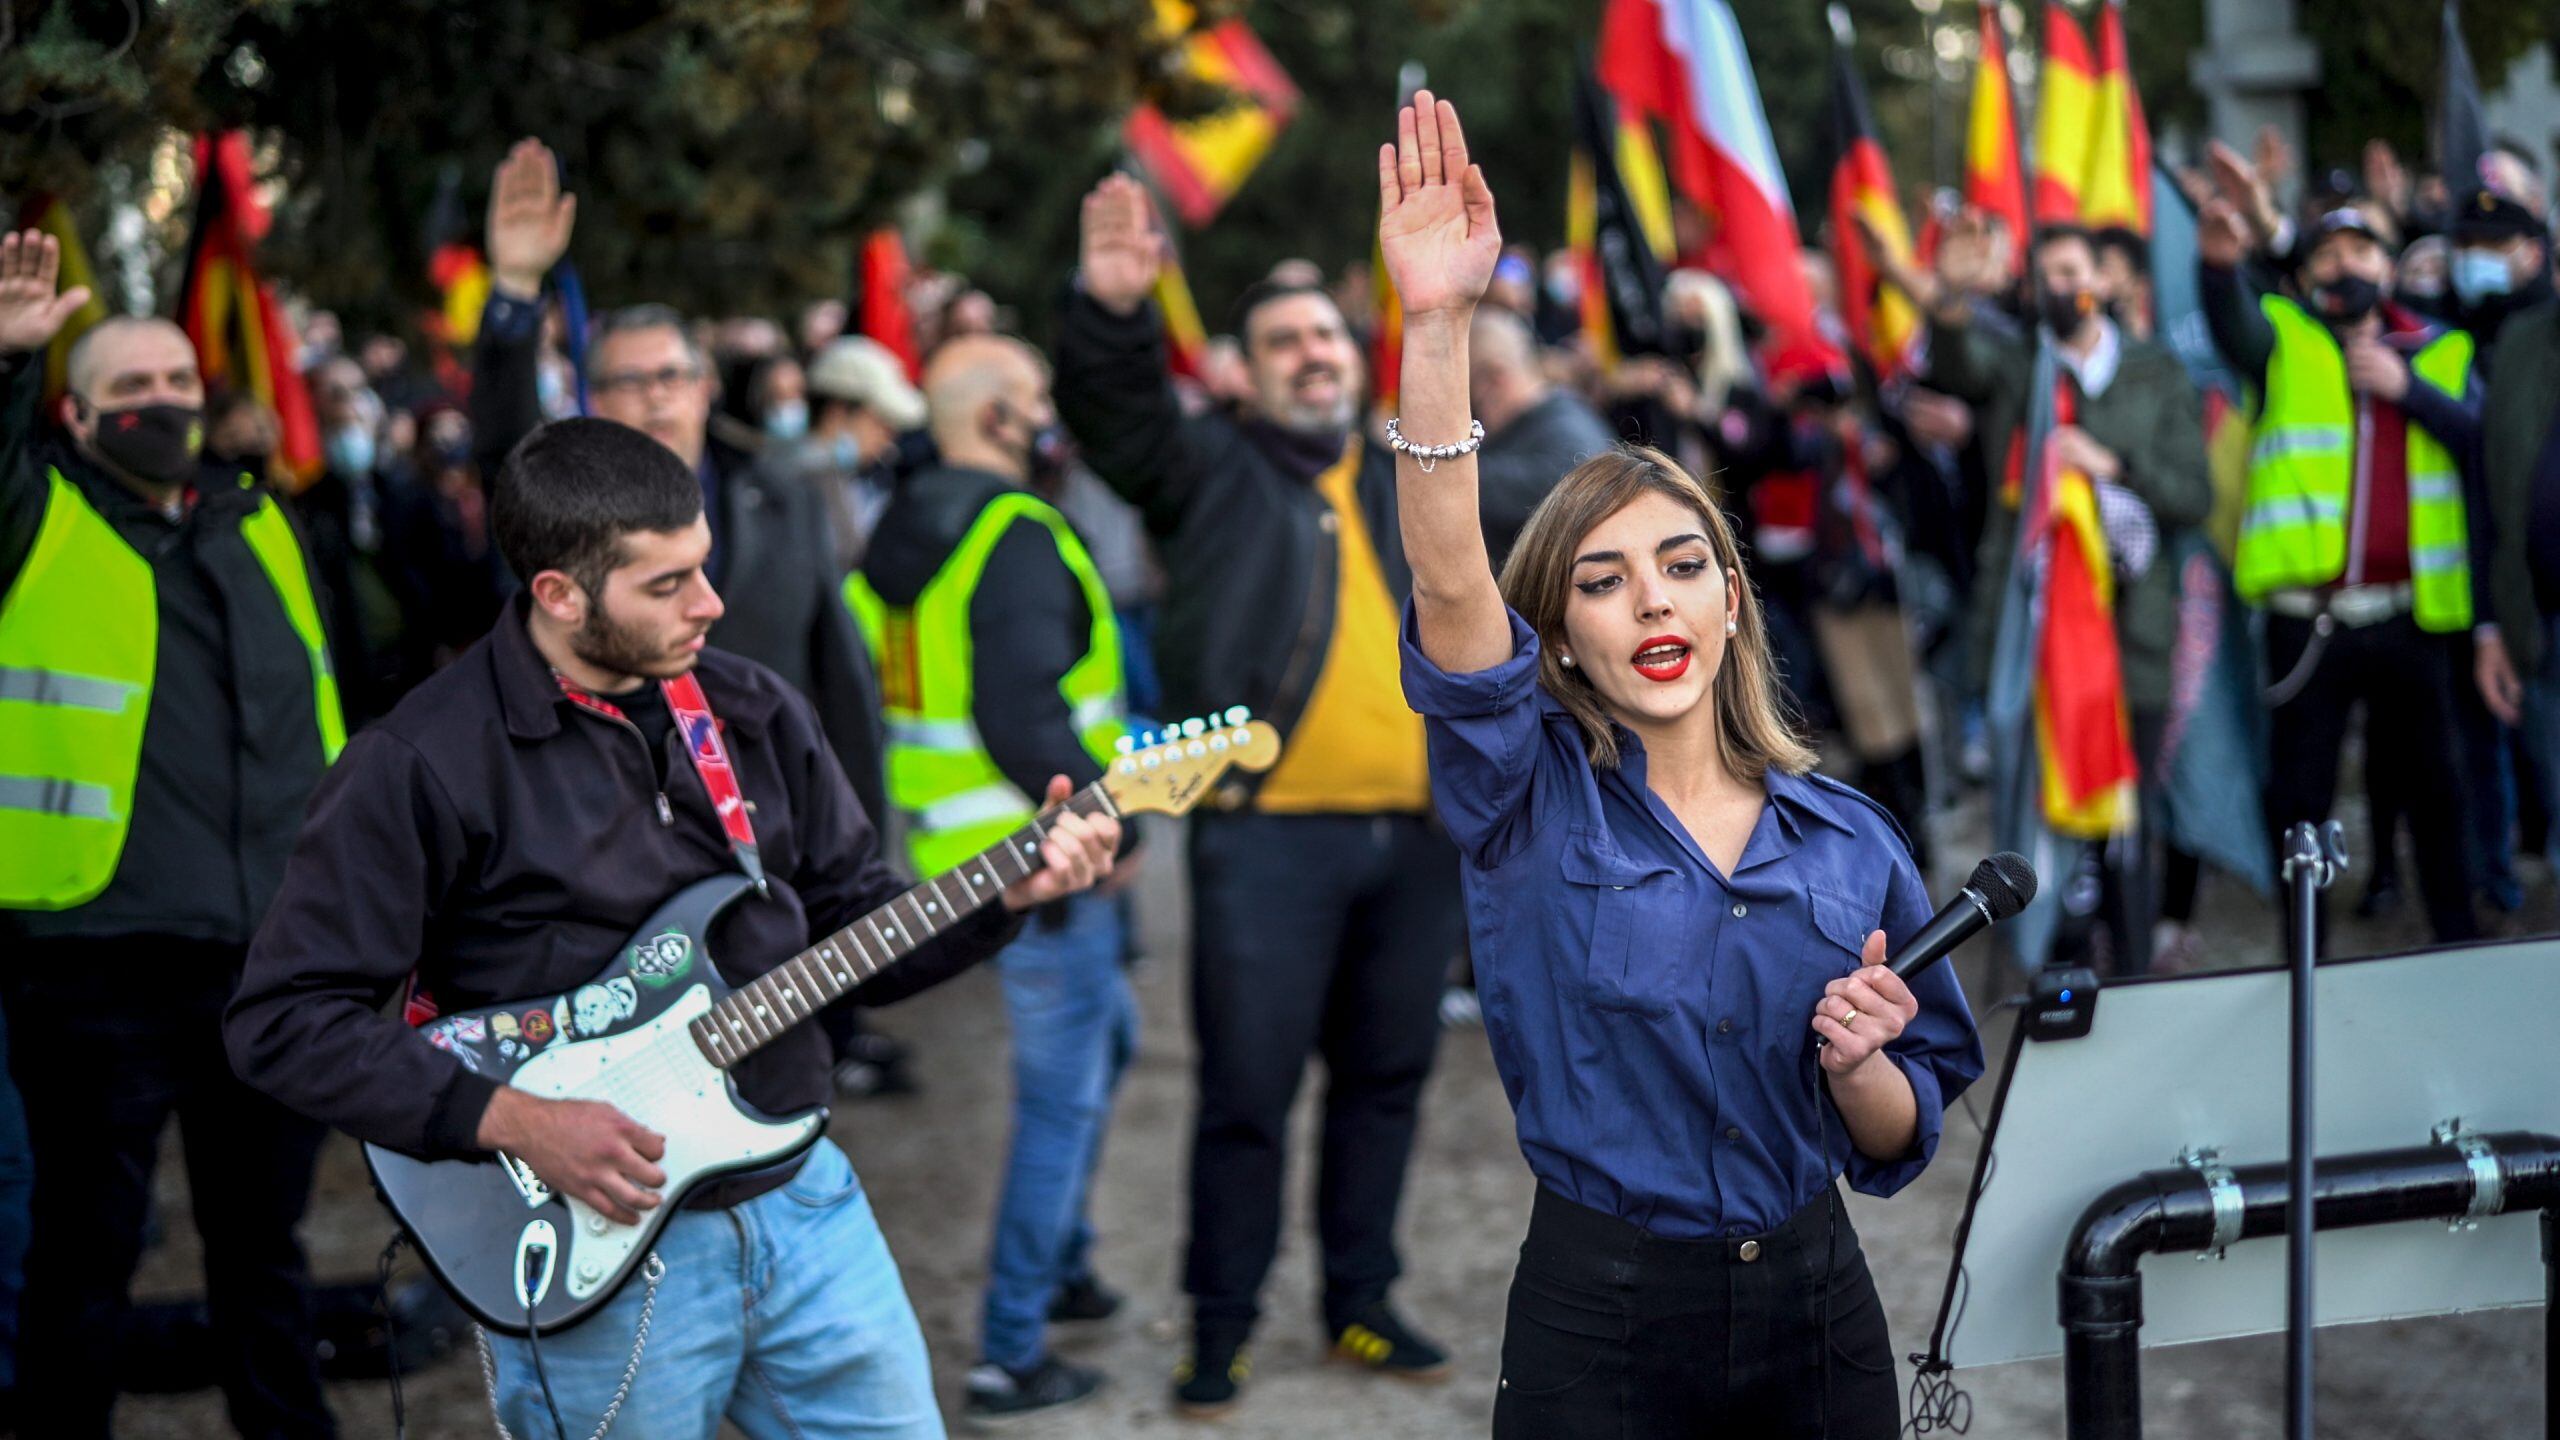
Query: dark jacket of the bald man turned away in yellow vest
(1028,619)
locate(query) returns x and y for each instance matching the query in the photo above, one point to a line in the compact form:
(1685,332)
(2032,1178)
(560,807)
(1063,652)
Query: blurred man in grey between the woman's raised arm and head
(1535,432)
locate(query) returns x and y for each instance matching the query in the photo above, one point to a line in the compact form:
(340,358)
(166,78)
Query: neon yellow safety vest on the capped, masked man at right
(2303,475)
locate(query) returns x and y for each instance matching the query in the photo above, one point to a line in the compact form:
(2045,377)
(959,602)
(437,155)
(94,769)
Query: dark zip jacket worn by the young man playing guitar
(498,842)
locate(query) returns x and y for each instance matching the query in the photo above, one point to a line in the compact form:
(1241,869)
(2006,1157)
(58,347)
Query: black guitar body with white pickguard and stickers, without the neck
(521,1257)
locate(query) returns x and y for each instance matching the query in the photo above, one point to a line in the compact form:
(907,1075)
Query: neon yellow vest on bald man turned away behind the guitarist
(941,778)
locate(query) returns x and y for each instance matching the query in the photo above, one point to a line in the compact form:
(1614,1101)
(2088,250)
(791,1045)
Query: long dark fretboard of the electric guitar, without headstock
(800,988)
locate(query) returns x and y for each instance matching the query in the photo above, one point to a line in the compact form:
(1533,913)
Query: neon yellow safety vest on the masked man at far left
(78,652)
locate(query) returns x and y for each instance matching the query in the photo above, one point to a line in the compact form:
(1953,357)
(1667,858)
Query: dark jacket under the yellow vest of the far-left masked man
(232,747)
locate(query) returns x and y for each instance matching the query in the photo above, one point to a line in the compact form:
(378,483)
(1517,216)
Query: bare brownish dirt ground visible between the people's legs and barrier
(933,1170)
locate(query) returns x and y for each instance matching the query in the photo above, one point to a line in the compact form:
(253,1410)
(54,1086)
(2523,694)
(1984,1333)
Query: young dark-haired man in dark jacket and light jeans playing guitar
(498,837)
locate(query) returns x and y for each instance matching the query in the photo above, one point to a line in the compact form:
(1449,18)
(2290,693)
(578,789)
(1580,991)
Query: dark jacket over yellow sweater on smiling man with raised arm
(1248,542)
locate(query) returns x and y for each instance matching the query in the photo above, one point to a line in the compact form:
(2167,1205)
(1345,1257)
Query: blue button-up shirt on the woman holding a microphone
(1647,1013)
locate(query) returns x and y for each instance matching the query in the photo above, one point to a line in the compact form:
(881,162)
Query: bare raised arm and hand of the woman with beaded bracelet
(1437,234)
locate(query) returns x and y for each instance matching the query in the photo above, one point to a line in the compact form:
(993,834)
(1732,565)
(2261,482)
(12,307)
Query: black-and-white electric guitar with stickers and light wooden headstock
(659,1029)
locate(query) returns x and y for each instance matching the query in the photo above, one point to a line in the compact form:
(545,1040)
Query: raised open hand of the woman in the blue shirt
(1435,211)
